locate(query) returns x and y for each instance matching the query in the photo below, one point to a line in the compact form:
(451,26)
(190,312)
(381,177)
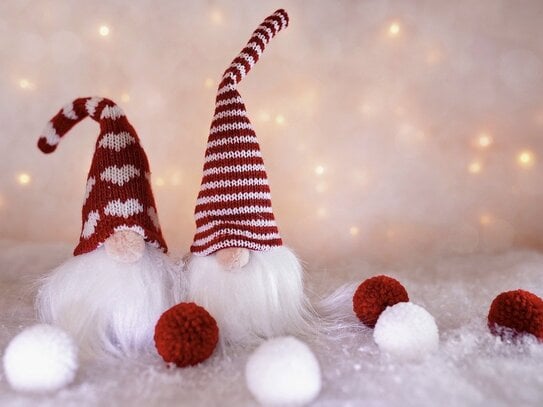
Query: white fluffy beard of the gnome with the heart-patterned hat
(110,307)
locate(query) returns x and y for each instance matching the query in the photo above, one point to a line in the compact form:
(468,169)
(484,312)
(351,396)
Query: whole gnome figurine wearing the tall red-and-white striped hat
(238,268)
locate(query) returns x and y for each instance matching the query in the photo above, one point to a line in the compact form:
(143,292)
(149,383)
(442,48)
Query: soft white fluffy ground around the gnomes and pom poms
(471,368)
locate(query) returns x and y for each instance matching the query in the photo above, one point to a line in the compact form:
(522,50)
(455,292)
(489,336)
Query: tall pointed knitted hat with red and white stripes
(234,204)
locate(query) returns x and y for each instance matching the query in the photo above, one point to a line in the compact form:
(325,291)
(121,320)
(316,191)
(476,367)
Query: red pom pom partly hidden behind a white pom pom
(374,295)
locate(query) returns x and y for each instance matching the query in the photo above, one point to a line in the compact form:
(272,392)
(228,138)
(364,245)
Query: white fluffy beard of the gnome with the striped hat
(263,299)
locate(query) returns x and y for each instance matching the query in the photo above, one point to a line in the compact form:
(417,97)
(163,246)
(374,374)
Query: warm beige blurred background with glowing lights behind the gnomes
(390,129)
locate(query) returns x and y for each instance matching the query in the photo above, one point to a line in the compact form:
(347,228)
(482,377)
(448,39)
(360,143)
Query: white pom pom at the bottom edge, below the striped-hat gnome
(283,371)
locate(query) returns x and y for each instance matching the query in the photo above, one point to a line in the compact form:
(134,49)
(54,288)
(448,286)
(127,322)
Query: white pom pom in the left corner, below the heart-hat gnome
(41,358)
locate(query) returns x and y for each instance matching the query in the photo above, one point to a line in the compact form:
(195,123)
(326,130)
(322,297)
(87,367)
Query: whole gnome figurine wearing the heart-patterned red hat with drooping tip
(110,295)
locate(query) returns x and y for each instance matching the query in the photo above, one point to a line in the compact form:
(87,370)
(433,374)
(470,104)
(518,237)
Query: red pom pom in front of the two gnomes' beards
(186,334)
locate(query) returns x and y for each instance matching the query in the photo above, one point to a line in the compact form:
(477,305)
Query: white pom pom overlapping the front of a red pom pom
(406,331)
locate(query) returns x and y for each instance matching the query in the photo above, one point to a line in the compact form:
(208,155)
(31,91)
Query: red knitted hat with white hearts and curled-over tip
(118,194)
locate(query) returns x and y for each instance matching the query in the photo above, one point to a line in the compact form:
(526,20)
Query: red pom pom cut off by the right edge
(520,311)
